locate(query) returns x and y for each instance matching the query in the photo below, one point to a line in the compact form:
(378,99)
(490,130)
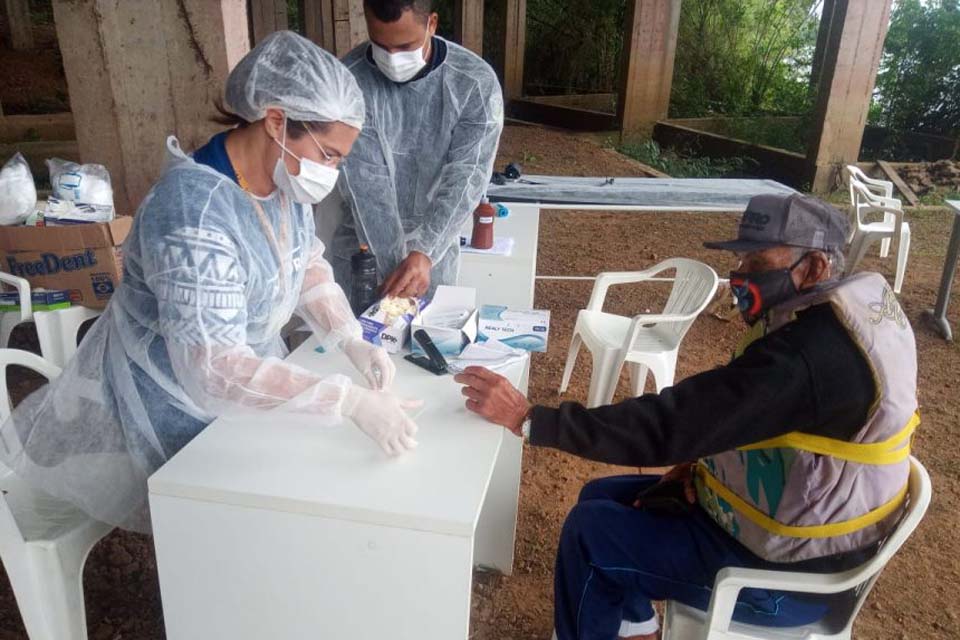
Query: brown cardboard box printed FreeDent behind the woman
(84,259)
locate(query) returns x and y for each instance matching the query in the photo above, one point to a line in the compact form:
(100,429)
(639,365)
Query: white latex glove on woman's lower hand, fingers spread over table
(382,416)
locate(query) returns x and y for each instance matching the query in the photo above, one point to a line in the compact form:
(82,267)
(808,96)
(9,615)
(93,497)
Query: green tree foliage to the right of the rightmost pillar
(918,87)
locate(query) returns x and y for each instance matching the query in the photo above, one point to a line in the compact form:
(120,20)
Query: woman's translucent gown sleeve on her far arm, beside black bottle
(324,305)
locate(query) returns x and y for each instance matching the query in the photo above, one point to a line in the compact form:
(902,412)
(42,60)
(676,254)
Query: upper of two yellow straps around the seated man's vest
(889,451)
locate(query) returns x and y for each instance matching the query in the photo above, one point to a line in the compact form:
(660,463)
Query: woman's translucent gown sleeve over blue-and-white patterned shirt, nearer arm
(200,290)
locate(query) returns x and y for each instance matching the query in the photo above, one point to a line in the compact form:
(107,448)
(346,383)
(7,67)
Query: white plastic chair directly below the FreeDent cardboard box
(57,331)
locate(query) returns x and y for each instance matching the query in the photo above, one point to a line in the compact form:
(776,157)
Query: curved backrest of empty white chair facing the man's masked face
(694,285)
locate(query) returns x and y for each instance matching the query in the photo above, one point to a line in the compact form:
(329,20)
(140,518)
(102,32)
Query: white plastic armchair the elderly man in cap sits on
(682,622)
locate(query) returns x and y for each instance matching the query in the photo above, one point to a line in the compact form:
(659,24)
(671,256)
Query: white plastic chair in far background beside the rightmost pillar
(866,233)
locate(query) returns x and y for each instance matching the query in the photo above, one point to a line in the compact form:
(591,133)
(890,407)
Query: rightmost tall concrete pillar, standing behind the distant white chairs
(848,66)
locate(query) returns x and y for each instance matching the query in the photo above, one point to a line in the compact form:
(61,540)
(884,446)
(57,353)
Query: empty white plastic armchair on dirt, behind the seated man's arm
(645,342)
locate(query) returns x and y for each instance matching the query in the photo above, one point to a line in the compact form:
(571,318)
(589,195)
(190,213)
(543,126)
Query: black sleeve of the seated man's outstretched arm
(807,376)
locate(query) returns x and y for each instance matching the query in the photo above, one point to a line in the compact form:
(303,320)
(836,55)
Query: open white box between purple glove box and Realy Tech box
(450,320)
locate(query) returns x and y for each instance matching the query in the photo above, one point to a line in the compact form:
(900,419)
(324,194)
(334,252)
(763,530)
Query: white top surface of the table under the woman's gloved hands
(284,462)
